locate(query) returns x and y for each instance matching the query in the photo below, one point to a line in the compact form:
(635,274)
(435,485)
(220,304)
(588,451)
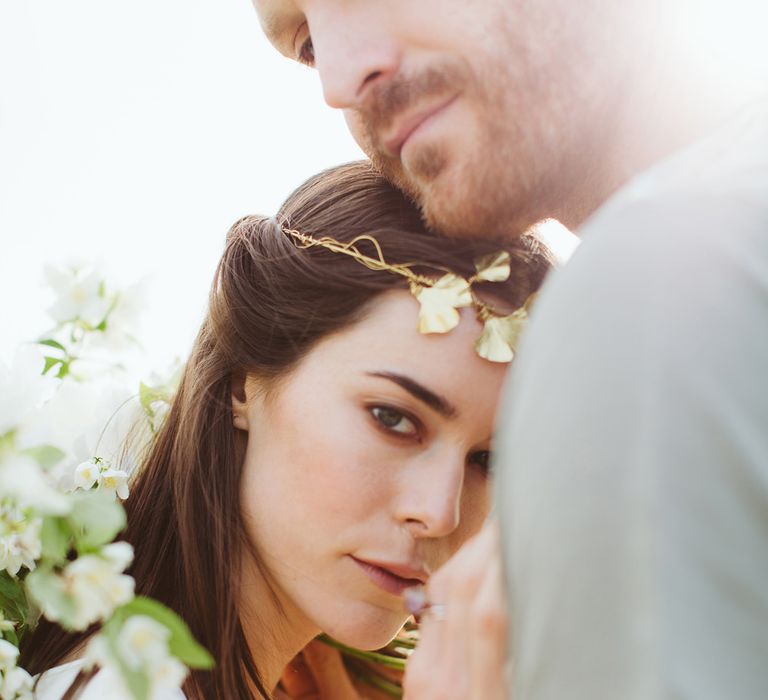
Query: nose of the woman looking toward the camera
(430,495)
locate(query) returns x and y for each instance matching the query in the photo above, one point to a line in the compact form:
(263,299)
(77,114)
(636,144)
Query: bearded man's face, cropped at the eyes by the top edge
(465,104)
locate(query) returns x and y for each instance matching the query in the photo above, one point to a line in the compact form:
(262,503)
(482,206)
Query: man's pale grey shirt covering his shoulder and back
(633,470)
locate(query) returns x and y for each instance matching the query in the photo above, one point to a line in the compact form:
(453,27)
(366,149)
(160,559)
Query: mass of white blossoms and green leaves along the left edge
(65,412)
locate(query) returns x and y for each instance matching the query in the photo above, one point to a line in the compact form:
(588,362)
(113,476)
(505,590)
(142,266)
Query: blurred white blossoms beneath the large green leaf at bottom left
(141,646)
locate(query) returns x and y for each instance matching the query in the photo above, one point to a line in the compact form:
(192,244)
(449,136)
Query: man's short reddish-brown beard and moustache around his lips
(465,193)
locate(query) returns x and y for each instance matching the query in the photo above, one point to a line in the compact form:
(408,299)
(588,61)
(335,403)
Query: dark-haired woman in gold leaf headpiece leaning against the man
(321,454)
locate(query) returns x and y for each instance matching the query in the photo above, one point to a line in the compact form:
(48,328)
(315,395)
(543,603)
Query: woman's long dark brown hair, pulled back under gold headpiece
(270,303)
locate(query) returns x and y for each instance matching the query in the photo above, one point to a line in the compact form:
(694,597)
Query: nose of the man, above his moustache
(353,55)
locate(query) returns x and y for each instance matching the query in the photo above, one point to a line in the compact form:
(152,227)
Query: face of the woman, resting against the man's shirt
(366,468)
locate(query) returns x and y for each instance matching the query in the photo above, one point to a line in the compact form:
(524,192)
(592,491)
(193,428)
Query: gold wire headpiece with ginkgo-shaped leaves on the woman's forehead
(440,298)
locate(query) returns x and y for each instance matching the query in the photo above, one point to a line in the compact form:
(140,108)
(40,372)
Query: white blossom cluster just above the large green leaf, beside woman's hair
(90,588)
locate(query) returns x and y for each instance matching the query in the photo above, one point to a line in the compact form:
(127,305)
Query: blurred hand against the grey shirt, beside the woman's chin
(463,655)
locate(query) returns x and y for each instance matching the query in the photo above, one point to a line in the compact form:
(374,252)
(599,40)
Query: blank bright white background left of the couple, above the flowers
(133,134)
